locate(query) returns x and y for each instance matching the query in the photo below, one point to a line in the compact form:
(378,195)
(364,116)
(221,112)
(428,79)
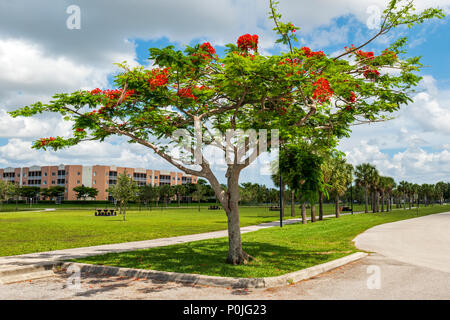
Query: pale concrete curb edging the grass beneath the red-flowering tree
(268,282)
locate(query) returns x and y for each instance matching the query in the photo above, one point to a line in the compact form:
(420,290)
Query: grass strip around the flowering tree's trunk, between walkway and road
(277,251)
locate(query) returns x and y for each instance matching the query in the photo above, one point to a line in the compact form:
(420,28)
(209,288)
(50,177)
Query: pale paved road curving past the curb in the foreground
(420,276)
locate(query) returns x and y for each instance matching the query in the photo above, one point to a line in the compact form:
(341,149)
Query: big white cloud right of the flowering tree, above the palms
(413,146)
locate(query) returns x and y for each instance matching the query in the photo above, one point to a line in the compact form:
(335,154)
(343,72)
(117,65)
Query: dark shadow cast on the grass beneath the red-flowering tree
(208,258)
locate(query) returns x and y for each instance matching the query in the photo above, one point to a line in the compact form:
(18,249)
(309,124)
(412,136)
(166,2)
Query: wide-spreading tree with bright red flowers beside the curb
(301,92)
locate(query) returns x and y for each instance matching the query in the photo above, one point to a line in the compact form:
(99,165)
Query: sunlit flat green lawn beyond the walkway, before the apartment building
(28,232)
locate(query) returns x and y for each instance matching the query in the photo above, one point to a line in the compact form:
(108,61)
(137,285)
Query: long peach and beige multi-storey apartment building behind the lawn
(98,176)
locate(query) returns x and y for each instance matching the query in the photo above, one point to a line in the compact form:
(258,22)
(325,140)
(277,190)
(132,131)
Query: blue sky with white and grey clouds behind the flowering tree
(40,56)
